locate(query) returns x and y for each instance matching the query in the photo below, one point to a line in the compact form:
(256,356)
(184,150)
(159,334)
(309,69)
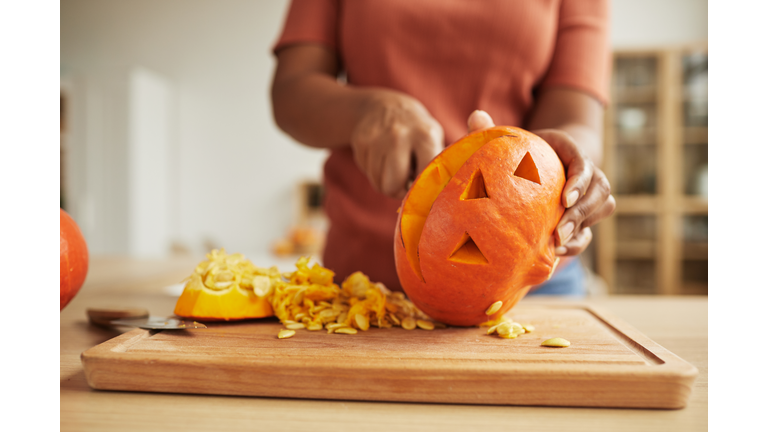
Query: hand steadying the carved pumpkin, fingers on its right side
(586,195)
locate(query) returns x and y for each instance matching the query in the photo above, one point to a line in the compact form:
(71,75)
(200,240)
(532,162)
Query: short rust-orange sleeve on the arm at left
(309,21)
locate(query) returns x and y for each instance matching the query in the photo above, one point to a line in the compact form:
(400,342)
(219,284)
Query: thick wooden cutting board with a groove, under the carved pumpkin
(609,363)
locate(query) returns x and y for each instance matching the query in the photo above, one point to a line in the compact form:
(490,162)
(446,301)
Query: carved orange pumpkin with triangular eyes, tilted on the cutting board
(477,225)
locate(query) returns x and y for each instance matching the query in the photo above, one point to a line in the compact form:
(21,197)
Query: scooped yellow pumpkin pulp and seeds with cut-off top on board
(229,287)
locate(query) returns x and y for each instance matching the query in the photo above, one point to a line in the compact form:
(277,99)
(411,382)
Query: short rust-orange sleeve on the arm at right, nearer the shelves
(582,58)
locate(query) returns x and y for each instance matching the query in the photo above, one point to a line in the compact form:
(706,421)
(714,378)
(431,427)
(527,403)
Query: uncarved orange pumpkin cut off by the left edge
(73,264)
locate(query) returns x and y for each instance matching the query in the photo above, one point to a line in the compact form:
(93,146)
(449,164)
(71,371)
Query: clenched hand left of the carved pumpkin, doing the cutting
(394,139)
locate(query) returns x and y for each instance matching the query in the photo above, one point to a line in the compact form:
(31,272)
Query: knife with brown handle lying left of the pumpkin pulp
(136,317)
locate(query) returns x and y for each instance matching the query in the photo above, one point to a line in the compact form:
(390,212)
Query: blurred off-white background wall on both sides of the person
(168,142)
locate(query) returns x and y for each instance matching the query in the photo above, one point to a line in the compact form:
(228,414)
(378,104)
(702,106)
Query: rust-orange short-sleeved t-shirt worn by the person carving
(454,56)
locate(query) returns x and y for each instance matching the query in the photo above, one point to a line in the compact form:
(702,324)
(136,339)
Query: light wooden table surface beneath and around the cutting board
(677,323)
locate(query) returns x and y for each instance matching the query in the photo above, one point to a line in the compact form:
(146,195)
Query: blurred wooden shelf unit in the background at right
(655,130)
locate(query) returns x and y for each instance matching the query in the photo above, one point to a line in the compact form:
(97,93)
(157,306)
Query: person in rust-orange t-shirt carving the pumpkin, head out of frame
(415,72)
